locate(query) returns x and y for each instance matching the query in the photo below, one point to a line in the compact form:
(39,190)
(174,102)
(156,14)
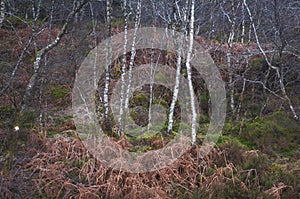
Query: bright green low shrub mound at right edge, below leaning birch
(276,133)
